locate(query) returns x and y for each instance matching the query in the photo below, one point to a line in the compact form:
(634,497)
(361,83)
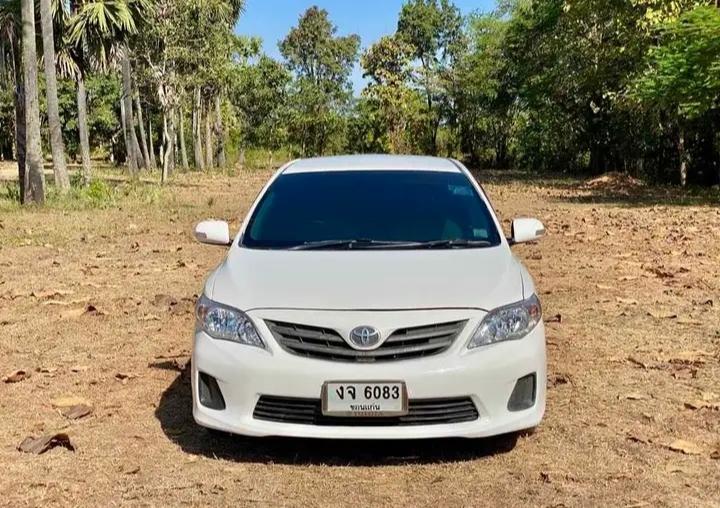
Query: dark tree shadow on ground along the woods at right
(612,189)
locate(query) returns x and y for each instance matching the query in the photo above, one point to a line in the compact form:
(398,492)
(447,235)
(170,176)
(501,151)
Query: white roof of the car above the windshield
(372,163)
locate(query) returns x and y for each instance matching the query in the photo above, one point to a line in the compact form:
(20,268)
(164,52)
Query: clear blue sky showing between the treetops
(370,19)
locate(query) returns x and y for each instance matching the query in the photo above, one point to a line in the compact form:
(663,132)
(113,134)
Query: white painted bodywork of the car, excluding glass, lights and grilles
(388,289)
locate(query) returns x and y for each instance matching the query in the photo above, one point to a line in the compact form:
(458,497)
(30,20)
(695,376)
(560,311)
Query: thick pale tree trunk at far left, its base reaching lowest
(34,177)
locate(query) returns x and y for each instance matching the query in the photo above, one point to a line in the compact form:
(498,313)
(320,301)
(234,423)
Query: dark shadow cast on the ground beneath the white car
(175,415)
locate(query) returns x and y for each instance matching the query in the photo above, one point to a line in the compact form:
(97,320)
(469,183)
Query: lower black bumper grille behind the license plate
(420,412)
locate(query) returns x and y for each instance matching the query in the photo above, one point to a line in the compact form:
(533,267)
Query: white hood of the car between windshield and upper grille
(367,279)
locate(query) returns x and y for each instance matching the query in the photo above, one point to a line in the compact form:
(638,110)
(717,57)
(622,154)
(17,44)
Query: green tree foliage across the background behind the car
(583,86)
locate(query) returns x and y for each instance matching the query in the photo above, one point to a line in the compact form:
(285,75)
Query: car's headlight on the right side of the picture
(510,322)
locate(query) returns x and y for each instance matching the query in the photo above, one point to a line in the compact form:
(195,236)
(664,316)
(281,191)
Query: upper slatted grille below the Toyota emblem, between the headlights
(403,344)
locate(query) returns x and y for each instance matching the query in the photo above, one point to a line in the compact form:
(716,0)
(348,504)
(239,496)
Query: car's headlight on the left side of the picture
(225,323)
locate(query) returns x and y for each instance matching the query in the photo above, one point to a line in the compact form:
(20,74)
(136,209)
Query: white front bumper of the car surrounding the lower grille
(487,375)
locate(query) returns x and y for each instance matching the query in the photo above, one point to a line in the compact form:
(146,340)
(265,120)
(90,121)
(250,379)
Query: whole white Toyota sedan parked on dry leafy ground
(369,296)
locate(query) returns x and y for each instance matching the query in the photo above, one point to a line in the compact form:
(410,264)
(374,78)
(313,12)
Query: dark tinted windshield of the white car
(371,209)
